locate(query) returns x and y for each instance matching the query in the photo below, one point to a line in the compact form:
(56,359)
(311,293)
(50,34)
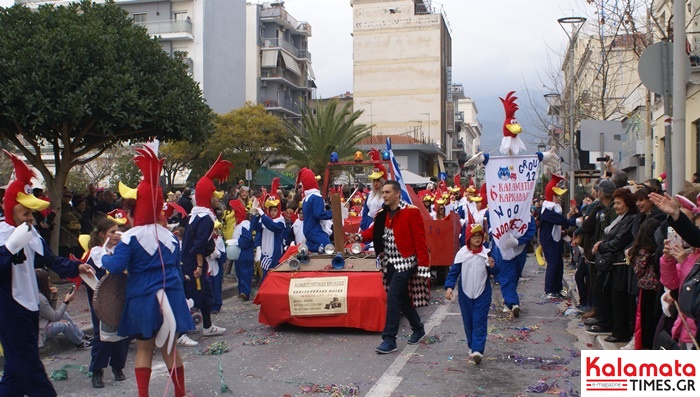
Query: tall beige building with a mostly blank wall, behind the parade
(402,63)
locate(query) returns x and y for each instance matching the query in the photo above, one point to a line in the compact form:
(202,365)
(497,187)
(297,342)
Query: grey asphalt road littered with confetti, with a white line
(538,351)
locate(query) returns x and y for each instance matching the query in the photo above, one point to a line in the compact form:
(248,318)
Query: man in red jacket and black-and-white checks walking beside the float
(399,240)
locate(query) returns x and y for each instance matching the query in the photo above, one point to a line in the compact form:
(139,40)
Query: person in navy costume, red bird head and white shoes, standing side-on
(198,243)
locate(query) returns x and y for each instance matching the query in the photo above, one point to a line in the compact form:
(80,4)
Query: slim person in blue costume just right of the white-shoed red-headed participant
(243,238)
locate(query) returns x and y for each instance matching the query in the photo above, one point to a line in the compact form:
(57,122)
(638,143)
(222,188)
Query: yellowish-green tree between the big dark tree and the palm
(249,137)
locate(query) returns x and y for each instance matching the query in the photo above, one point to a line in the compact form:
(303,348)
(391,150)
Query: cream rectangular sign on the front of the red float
(318,296)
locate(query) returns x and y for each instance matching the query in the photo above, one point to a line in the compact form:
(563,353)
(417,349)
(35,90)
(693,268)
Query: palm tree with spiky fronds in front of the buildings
(328,130)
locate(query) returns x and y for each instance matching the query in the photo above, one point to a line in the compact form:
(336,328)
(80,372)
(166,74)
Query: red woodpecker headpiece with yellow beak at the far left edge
(19,191)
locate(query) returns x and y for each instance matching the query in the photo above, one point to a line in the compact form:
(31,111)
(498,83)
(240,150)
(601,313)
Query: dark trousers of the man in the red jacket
(397,301)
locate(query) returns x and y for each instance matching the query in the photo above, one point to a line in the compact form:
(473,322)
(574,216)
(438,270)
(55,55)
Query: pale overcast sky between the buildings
(497,46)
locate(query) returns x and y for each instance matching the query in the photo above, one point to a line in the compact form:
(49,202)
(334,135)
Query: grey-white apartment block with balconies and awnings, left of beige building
(278,69)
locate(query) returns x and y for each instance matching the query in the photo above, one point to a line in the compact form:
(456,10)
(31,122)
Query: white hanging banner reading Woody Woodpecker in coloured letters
(510,183)
